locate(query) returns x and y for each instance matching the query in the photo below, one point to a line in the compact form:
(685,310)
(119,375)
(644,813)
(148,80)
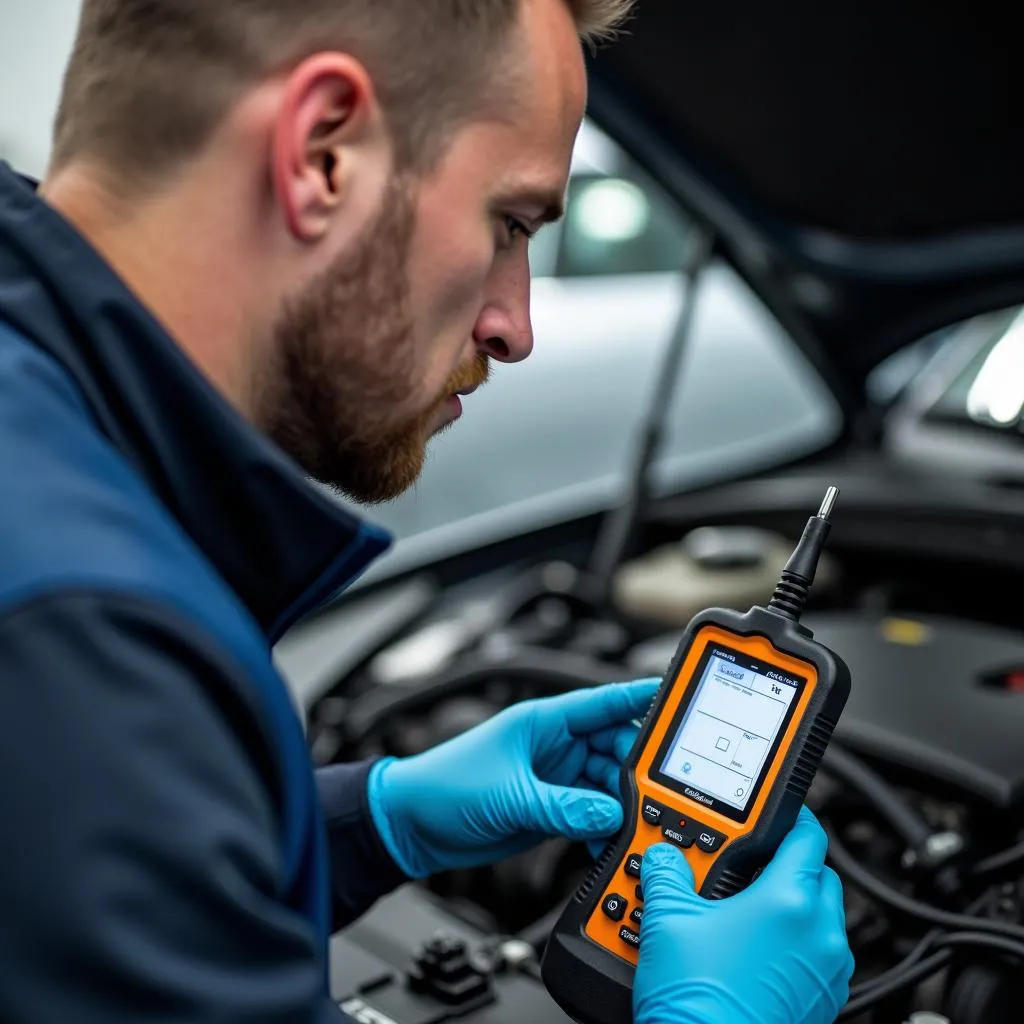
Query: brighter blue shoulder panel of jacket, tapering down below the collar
(79,521)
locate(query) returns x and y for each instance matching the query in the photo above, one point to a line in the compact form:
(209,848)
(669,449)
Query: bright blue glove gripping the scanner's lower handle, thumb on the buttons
(775,954)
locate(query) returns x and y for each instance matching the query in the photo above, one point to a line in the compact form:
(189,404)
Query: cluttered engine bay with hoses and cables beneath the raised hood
(922,791)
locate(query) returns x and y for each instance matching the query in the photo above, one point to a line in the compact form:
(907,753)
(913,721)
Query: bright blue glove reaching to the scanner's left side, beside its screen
(534,772)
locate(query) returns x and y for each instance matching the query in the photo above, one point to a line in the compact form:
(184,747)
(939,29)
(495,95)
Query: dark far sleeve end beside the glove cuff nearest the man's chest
(362,868)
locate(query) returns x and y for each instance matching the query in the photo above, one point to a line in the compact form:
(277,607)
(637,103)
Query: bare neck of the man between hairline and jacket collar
(184,259)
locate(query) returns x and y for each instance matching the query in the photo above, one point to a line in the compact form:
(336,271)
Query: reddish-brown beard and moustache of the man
(346,366)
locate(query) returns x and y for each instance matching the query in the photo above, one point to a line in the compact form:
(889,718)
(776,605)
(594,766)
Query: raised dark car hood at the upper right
(861,164)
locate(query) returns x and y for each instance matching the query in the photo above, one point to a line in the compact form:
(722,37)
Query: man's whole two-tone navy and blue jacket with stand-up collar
(167,852)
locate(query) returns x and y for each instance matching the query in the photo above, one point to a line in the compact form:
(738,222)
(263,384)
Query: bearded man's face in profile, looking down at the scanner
(375,353)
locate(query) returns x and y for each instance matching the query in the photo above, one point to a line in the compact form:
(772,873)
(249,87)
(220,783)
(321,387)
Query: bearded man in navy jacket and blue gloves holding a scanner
(278,240)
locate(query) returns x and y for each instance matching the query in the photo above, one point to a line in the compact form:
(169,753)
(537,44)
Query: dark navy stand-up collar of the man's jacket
(281,544)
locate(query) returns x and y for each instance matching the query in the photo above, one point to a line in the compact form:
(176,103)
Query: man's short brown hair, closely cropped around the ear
(149,80)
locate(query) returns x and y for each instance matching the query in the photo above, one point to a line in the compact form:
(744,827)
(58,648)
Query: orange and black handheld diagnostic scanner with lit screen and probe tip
(720,769)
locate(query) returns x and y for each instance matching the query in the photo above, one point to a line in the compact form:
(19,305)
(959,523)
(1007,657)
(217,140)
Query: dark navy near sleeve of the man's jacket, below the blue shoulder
(141,877)
